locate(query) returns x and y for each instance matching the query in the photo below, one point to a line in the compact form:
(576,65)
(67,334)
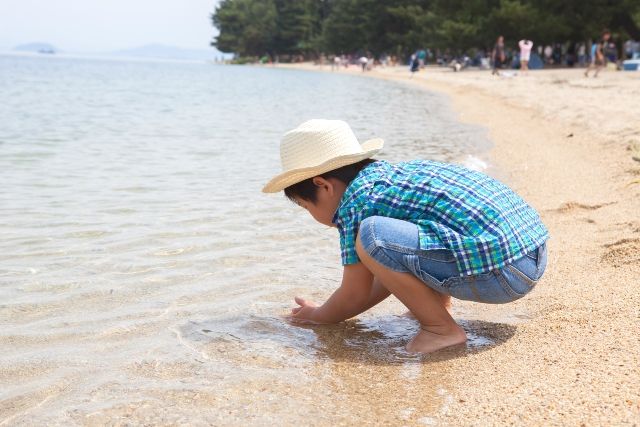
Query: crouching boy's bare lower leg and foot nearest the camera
(438,329)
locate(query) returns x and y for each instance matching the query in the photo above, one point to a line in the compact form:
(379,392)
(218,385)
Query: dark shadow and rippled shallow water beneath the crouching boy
(377,340)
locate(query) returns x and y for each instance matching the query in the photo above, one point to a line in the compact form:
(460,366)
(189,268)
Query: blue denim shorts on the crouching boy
(395,244)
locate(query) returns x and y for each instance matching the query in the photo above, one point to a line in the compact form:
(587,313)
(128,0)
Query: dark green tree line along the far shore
(311,27)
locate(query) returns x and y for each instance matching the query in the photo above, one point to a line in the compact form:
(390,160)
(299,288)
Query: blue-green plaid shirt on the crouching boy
(483,222)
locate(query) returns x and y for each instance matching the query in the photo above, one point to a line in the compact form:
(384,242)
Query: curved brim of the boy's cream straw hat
(285,179)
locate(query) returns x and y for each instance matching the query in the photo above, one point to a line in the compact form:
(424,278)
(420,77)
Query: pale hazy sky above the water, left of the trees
(106,25)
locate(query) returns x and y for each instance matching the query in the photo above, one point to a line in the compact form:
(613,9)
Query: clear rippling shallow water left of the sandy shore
(143,274)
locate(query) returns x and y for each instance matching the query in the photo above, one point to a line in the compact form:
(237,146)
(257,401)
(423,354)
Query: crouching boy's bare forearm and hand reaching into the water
(357,293)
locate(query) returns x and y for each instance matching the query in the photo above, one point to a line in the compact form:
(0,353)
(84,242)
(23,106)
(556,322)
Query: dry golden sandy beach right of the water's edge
(571,356)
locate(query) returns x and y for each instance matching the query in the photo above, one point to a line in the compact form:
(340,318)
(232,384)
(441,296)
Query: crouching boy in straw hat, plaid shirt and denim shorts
(422,231)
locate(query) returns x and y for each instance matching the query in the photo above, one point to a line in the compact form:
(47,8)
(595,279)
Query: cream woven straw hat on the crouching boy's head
(318,146)
